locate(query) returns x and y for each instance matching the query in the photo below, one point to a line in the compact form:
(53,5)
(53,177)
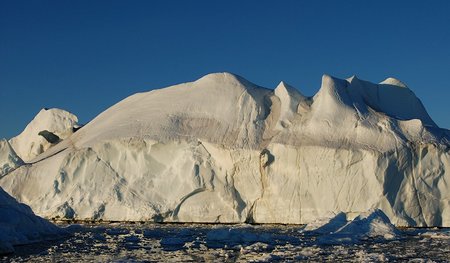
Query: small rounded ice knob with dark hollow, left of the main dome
(30,144)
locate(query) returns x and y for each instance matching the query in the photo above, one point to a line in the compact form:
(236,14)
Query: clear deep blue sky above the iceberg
(84,56)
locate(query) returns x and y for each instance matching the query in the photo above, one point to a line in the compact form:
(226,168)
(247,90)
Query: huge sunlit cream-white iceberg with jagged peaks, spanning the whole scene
(224,150)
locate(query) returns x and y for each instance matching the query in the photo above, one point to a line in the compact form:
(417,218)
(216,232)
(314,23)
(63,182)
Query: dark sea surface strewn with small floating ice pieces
(119,242)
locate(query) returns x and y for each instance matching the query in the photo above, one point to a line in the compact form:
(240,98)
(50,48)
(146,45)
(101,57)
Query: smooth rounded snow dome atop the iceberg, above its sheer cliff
(234,110)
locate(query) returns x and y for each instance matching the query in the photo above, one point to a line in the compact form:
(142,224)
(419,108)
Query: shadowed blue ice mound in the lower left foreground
(19,225)
